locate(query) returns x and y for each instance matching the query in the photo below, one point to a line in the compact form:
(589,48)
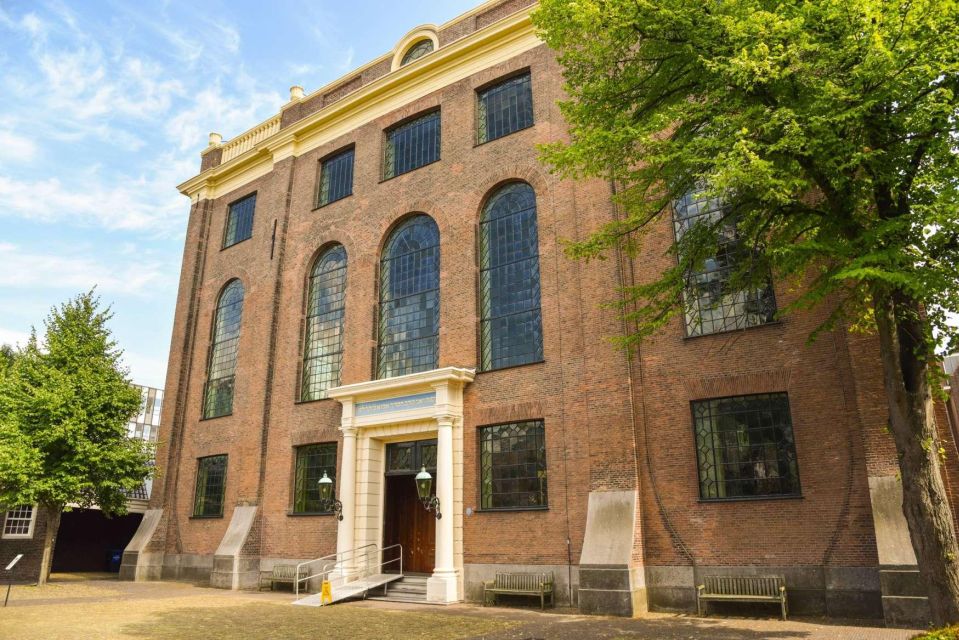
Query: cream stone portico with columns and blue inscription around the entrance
(417,406)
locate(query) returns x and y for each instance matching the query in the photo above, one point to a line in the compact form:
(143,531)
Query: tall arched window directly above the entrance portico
(409,299)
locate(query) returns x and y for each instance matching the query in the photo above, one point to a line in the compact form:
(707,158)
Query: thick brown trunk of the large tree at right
(911,419)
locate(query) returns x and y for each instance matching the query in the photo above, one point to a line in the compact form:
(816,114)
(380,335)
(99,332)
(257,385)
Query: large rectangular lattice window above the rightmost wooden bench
(745,447)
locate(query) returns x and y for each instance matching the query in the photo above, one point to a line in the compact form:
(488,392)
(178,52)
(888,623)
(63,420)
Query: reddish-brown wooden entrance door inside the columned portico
(406,522)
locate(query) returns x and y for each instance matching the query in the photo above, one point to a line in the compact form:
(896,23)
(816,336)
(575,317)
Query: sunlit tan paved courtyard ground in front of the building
(97,607)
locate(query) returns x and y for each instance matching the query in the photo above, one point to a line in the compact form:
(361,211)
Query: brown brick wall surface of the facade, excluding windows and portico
(615,422)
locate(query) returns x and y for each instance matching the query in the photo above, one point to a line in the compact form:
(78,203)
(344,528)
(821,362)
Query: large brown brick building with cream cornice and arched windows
(373,284)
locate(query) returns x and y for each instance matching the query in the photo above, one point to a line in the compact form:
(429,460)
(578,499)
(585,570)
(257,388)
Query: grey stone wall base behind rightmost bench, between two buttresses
(840,592)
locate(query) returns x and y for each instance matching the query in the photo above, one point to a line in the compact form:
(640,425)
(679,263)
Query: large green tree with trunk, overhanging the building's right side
(828,131)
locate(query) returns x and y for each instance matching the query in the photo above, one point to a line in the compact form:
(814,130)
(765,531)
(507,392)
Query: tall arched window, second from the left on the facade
(323,347)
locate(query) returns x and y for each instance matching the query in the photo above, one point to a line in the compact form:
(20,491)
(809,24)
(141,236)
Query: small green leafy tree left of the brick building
(64,410)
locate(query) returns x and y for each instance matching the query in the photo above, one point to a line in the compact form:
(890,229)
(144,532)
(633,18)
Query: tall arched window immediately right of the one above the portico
(511,325)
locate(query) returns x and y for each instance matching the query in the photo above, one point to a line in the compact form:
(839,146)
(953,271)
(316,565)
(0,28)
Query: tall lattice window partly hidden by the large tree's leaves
(712,304)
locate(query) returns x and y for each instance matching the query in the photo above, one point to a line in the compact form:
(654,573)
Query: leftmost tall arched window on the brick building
(218,393)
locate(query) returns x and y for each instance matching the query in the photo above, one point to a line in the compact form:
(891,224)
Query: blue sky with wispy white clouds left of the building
(104,108)
